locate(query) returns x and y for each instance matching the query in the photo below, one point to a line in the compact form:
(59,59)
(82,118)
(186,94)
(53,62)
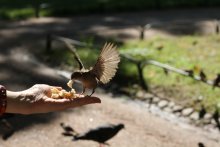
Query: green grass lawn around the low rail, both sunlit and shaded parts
(181,52)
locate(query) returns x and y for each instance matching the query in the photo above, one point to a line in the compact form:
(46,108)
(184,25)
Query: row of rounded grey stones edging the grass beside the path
(206,121)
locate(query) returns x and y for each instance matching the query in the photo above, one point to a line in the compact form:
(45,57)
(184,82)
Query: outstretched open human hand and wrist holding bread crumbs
(37,99)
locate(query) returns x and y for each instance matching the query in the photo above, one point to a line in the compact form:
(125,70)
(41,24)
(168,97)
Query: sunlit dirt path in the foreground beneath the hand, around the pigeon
(142,128)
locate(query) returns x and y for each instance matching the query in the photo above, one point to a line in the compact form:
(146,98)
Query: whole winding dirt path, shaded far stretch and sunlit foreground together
(20,43)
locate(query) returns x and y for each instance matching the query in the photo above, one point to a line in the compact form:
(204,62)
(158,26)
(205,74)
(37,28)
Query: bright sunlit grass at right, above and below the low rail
(184,53)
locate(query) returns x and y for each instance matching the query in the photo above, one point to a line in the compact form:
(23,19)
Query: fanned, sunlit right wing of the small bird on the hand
(107,63)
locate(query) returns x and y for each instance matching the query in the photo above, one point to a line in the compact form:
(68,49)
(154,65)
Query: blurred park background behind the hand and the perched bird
(168,78)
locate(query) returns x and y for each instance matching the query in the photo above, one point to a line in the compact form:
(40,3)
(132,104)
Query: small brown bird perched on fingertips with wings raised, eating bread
(102,72)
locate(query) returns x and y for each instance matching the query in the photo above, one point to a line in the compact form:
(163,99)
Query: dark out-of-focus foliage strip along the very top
(10,9)
